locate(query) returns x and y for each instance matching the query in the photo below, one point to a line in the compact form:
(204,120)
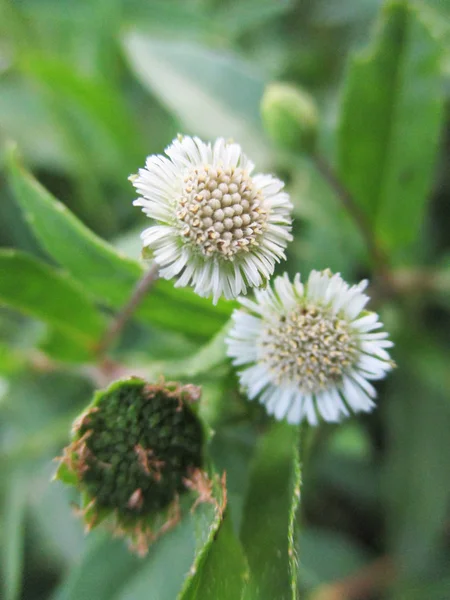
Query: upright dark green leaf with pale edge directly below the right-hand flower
(267,530)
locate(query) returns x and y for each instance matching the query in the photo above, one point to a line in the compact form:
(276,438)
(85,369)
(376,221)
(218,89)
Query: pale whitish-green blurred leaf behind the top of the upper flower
(212,93)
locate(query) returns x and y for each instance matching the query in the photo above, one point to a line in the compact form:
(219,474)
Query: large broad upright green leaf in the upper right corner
(390,121)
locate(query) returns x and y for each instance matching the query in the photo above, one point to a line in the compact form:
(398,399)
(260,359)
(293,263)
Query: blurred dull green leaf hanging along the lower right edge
(417,414)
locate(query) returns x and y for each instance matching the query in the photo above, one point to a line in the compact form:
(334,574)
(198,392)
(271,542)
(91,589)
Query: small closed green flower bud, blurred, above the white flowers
(290,117)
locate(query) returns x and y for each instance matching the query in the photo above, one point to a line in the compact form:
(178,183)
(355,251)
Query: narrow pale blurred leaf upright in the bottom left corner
(13,534)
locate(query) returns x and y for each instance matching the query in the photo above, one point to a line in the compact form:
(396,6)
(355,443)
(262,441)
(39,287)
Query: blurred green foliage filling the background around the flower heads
(87,90)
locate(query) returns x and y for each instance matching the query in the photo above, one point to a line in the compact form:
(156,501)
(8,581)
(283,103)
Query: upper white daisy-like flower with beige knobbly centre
(219,227)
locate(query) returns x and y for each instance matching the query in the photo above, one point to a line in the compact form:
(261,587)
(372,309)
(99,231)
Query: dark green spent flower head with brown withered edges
(134,451)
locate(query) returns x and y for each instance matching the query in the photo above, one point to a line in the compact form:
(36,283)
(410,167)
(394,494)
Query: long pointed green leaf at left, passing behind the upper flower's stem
(106,274)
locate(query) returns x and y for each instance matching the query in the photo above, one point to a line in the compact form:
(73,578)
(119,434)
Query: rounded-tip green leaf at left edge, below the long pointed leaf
(41,291)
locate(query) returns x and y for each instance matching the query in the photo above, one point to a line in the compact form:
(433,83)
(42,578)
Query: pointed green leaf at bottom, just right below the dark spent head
(221,571)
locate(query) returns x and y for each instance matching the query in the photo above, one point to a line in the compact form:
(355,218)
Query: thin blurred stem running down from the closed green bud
(350,205)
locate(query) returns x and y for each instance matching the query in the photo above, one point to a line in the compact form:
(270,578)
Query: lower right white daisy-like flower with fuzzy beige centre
(310,350)
